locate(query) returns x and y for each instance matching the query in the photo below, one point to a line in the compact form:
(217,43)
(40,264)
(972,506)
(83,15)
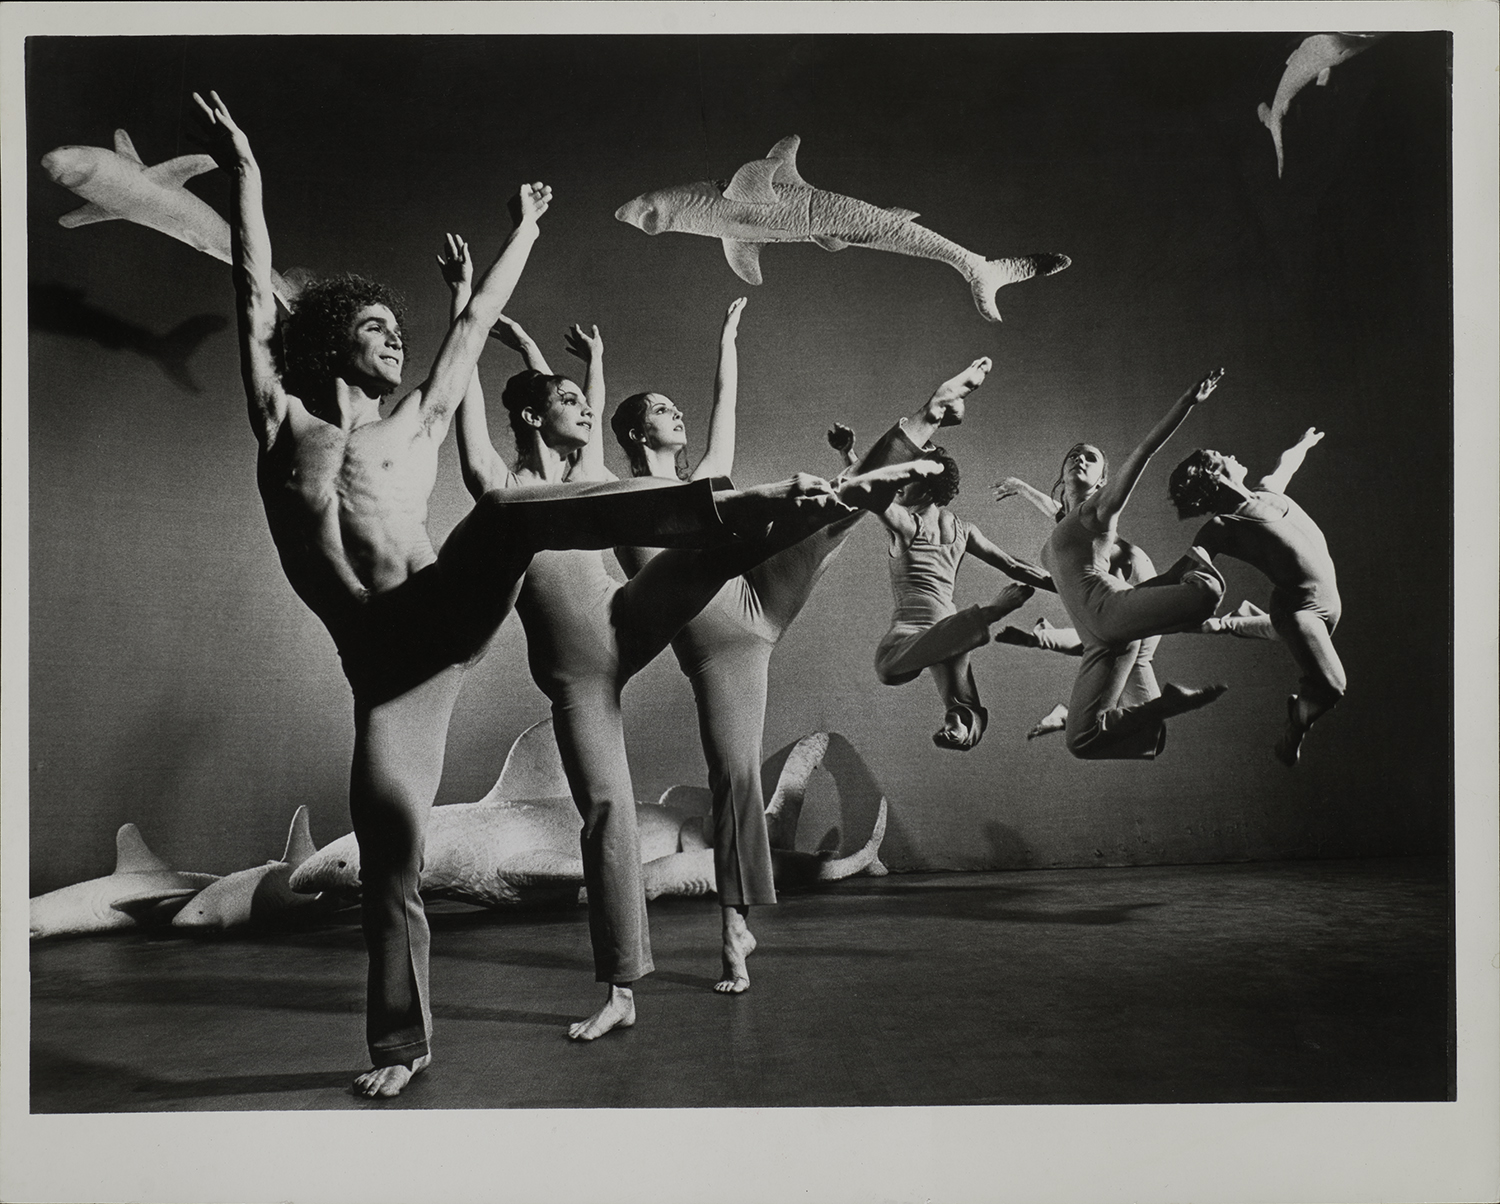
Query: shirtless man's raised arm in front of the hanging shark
(251,260)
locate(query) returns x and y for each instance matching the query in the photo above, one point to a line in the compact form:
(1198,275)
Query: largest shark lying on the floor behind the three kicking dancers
(508,851)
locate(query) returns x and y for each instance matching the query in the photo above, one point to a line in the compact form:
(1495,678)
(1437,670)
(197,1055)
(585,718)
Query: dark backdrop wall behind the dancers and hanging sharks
(178,683)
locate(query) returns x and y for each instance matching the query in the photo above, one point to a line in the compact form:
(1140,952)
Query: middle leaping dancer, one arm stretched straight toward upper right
(1117,710)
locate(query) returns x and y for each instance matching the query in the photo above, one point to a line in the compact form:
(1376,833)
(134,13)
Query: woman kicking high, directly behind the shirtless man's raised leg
(587,635)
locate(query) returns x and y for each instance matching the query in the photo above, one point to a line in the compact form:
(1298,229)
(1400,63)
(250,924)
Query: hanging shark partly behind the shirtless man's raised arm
(118,185)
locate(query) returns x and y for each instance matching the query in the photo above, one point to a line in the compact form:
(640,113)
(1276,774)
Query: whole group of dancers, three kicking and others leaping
(718,574)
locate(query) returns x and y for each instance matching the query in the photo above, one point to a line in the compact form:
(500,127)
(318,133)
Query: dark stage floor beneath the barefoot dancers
(1273,983)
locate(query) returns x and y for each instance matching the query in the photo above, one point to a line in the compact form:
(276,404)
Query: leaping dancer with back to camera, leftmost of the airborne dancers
(928,630)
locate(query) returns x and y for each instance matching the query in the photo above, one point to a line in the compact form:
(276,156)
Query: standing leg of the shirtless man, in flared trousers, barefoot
(398,764)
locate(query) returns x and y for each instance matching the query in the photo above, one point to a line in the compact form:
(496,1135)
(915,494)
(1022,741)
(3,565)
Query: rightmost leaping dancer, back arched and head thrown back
(1268,530)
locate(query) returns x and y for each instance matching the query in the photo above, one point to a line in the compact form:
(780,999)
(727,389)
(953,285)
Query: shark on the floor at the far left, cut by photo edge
(143,890)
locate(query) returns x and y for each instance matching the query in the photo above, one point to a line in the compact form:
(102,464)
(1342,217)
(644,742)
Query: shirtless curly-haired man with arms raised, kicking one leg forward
(346,494)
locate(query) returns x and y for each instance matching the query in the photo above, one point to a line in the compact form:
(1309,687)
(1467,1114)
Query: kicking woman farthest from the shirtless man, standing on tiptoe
(727,650)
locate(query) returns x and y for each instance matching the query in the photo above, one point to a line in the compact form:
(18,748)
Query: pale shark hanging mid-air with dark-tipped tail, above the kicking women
(769,202)
